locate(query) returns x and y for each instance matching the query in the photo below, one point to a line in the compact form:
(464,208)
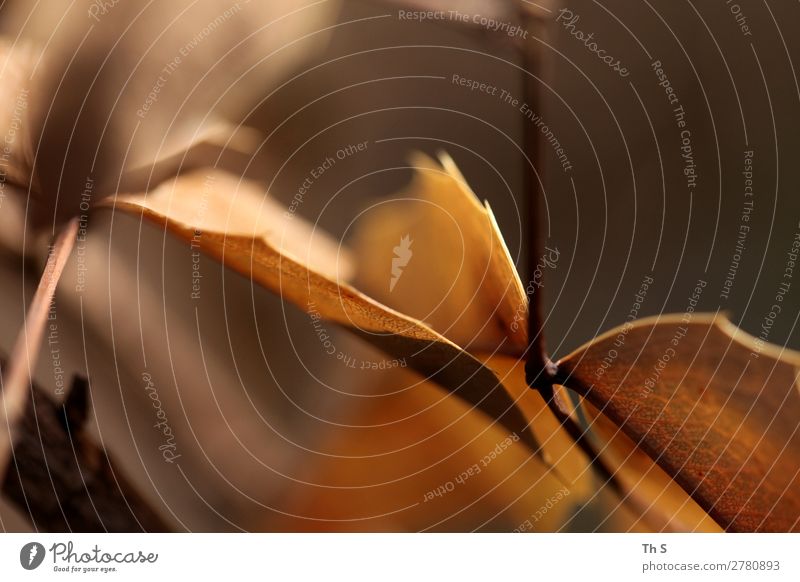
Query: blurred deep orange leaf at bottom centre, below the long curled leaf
(412,460)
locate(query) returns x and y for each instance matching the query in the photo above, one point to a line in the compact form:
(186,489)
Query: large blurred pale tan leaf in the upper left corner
(122,81)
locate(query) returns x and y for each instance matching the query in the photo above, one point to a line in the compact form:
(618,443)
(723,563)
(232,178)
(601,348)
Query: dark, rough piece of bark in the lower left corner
(62,481)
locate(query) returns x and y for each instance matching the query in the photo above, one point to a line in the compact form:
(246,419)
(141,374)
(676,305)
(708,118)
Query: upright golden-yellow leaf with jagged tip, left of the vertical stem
(460,278)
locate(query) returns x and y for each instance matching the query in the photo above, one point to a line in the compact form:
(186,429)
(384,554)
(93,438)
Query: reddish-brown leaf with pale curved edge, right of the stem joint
(717,409)
